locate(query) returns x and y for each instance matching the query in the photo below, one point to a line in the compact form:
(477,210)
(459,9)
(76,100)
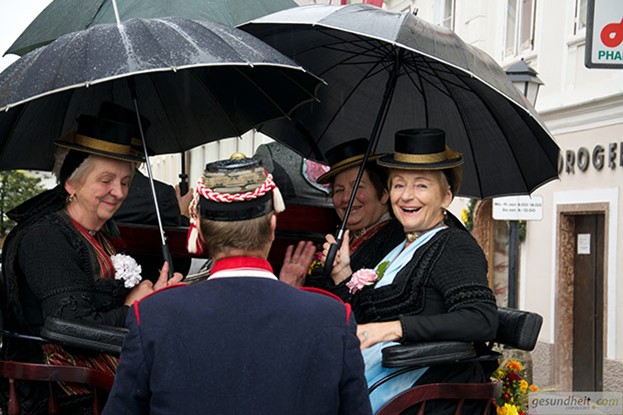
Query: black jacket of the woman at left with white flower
(51,270)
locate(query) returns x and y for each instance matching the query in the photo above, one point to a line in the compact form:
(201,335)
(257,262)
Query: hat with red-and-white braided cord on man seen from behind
(236,189)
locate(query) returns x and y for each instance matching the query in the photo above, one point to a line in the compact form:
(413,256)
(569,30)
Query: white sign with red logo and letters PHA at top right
(604,34)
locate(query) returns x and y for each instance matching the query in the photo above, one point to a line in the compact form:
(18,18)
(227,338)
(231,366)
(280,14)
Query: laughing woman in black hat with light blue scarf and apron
(434,283)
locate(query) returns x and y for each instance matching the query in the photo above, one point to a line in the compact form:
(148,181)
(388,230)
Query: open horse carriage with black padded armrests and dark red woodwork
(517,329)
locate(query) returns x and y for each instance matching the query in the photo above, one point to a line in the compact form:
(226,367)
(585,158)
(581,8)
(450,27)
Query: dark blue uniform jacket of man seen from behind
(242,345)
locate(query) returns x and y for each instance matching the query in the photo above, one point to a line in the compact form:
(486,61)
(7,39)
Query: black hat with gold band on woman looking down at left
(110,133)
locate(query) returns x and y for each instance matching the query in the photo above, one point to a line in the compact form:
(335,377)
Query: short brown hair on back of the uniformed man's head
(248,235)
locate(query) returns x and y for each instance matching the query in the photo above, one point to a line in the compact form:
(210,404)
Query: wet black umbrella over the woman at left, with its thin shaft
(195,81)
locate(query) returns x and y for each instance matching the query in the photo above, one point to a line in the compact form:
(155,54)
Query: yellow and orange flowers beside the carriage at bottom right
(515,389)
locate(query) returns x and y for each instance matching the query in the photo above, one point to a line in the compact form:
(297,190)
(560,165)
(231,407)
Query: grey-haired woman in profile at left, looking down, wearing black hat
(58,257)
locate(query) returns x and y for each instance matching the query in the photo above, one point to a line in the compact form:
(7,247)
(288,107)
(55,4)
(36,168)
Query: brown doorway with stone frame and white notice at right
(580,297)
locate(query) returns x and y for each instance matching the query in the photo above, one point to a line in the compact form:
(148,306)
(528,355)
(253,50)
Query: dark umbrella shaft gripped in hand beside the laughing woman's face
(374,138)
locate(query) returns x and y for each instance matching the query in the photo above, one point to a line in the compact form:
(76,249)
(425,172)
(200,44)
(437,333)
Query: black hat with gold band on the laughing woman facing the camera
(425,149)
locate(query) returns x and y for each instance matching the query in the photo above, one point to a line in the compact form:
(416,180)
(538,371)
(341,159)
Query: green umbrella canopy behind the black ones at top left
(65,16)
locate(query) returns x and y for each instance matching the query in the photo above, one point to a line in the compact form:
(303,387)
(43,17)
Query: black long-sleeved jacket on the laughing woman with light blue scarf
(441,294)
